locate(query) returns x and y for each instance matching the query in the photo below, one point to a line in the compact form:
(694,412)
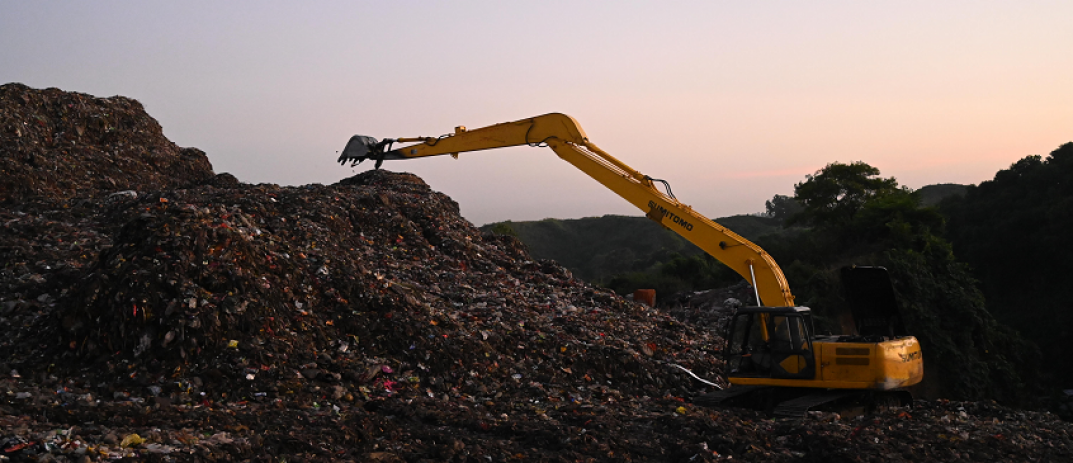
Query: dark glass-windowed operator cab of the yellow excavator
(772,342)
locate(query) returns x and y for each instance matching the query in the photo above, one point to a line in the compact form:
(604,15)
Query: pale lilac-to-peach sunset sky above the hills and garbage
(732,102)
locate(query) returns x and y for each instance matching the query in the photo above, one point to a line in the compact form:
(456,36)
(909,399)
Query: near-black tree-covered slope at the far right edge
(1015,231)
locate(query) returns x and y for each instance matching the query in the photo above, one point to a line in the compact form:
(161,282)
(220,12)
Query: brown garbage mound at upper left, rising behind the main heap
(65,145)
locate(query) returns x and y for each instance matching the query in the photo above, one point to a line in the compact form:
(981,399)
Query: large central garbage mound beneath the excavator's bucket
(251,288)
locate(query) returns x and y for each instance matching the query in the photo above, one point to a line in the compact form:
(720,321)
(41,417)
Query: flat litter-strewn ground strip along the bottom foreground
(61,422)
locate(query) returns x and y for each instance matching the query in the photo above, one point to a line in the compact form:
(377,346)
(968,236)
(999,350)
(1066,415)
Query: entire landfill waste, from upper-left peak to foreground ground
(155,310)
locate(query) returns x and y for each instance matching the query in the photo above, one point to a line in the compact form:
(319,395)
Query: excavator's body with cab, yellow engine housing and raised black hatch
(776,347)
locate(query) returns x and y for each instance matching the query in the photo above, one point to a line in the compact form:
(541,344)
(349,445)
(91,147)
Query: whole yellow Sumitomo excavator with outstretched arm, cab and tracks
(773,354)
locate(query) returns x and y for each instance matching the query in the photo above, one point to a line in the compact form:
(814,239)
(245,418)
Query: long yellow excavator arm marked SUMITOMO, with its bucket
(566,138)
